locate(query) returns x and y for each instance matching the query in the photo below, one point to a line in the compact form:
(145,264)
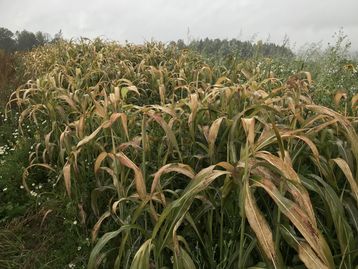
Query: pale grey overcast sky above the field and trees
(143,20)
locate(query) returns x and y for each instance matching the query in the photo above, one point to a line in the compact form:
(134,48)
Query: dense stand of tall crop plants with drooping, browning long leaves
(175,162)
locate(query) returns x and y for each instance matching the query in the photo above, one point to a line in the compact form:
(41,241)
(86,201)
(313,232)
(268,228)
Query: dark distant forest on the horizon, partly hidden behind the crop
(25,40)
